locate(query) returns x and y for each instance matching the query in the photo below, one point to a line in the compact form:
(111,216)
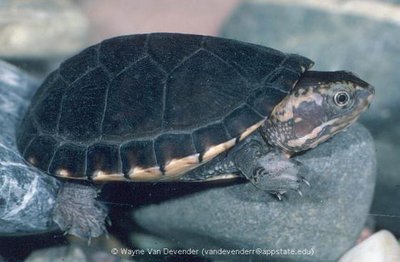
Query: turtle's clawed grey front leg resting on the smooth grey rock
(270,171)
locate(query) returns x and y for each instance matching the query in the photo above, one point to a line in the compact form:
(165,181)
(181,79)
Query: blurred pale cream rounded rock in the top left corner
(41,29)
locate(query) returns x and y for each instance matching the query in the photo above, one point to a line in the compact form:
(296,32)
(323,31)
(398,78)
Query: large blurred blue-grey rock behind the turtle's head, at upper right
(366,46)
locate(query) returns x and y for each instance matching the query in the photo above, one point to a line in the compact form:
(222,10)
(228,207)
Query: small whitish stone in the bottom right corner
(380,247)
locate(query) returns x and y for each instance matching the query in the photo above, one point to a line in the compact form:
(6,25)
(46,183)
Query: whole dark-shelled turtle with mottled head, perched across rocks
(163,107)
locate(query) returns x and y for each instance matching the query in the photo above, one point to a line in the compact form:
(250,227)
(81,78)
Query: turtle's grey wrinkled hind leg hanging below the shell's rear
(77,211)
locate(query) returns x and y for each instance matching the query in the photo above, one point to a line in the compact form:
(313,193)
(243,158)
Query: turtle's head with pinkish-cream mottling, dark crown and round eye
(320,105)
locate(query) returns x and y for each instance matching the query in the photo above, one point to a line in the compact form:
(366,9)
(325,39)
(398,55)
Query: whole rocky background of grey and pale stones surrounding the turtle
(360,36)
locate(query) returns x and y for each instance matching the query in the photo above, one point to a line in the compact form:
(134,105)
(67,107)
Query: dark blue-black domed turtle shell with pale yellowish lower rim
(151,107)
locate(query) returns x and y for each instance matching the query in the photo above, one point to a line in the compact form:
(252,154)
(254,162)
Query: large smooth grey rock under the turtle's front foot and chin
(325,222)
